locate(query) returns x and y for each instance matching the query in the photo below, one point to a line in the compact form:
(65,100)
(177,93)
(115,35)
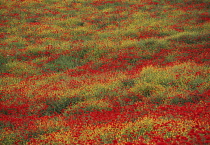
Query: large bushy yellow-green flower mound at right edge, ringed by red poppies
(159,84)
